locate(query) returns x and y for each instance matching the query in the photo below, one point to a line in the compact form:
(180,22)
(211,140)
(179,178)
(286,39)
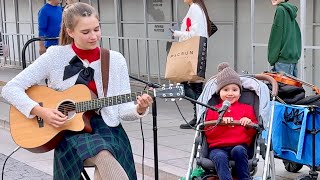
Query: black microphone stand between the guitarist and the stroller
(155,129)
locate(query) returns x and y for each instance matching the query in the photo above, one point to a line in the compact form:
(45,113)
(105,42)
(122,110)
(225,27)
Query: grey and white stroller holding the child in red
(255,93)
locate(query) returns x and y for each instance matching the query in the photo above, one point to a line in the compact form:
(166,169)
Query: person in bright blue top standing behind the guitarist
(49,23)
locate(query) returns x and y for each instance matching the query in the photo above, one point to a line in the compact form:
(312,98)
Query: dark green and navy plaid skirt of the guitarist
(75,148)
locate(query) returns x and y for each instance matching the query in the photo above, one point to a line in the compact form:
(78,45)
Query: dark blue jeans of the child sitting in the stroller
(220,157)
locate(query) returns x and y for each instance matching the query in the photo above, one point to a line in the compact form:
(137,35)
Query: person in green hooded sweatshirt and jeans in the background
(284,47)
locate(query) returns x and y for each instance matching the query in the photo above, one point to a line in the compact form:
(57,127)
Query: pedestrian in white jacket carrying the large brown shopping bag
(195,23)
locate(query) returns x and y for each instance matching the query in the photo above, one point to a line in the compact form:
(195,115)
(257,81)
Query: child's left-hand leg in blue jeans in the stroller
(220,159)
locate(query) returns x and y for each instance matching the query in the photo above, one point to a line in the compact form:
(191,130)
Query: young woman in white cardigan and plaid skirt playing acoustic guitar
(107,147)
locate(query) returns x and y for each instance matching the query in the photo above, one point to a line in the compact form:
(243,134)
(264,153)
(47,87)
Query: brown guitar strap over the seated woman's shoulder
(105,58)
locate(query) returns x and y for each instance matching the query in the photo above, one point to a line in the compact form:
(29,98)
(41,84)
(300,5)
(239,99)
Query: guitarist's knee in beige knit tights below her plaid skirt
(106,166)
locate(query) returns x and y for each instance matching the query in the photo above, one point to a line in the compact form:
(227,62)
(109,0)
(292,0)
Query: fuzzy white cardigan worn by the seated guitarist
(51,66)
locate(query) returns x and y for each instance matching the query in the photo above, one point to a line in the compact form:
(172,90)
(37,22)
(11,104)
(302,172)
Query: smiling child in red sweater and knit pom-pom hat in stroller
(230,142)
